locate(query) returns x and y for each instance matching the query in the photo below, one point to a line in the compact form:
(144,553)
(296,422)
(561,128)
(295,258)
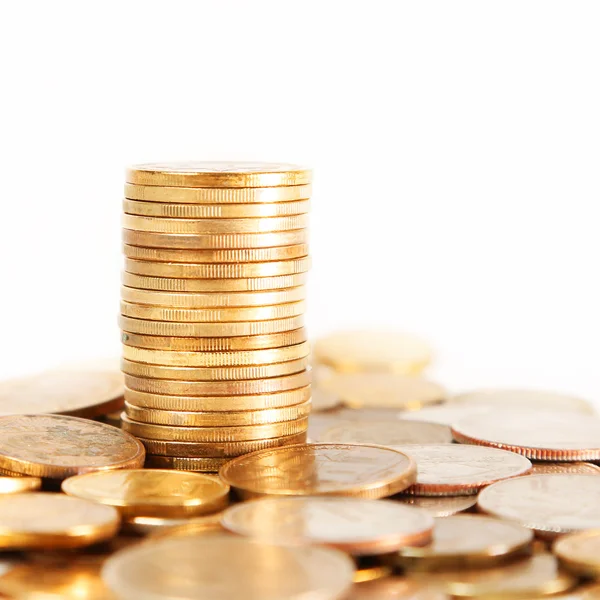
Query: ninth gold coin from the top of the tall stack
(213,300)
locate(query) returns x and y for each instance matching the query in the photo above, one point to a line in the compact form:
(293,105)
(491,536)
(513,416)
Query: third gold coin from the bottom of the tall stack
(213,434)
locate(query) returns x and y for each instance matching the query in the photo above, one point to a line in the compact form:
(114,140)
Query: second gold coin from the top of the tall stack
(209,195)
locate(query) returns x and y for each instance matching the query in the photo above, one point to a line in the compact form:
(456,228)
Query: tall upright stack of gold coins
(215,353)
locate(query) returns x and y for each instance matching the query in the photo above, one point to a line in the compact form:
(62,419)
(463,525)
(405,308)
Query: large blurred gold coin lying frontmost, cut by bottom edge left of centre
(222,567)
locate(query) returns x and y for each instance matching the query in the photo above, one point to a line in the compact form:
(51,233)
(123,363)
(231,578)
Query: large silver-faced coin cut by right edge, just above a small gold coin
(548,504)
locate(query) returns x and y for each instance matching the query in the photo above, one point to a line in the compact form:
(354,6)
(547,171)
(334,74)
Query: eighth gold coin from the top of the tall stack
(256,284)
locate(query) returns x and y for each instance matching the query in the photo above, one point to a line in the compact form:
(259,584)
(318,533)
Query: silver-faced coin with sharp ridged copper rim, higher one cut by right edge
(539,436)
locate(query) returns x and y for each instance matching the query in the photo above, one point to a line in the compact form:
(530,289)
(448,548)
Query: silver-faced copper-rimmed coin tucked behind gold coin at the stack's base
(455,469)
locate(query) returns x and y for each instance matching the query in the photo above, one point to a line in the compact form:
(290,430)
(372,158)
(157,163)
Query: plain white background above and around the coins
(456,147)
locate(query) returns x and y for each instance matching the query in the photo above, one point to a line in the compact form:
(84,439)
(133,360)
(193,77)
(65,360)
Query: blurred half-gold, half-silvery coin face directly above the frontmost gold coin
(355,525)
